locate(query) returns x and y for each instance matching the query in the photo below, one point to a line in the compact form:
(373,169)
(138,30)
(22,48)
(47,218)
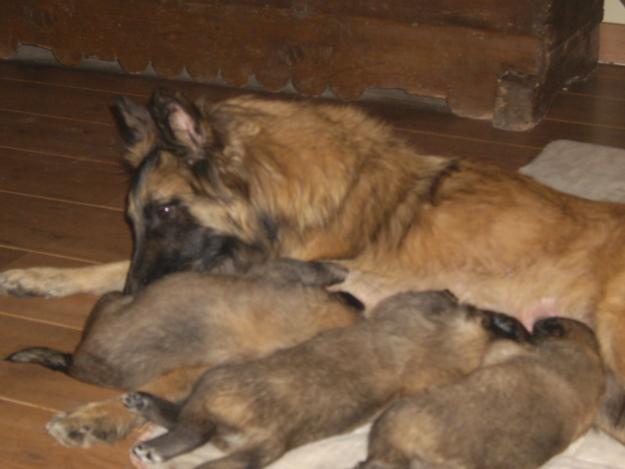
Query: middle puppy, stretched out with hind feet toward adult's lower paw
(327,385)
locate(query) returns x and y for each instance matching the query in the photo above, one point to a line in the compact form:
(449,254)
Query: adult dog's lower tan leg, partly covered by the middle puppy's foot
(110,420)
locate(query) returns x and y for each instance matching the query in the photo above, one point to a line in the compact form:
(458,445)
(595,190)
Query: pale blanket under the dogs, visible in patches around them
(582,169)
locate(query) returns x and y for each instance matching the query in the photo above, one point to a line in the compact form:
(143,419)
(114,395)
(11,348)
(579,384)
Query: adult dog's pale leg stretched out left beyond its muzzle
(57,282)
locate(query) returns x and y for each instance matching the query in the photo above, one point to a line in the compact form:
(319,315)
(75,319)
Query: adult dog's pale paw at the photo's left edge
(36,281)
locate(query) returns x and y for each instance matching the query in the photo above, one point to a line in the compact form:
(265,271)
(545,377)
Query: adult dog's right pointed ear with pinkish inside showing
(180,123)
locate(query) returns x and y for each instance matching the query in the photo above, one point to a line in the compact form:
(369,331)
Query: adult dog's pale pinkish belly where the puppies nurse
(528,299)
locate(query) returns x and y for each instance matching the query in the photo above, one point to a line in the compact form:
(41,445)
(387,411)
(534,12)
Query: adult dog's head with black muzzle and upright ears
(189,199)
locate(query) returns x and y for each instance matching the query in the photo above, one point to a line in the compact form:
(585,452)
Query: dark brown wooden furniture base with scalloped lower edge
(481,74)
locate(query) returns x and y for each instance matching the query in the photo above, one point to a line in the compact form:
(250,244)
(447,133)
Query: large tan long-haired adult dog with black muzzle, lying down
(320,181)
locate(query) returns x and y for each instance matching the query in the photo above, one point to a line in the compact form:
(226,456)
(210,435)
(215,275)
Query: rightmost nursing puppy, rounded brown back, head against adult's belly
(527,405)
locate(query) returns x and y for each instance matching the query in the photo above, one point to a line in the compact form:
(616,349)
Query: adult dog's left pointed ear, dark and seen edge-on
(136,127)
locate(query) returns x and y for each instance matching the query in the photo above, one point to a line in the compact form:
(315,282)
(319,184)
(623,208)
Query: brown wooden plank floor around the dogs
(62,193)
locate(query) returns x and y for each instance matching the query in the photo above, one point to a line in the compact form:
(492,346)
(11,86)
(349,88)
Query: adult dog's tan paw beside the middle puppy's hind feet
(99,422)
